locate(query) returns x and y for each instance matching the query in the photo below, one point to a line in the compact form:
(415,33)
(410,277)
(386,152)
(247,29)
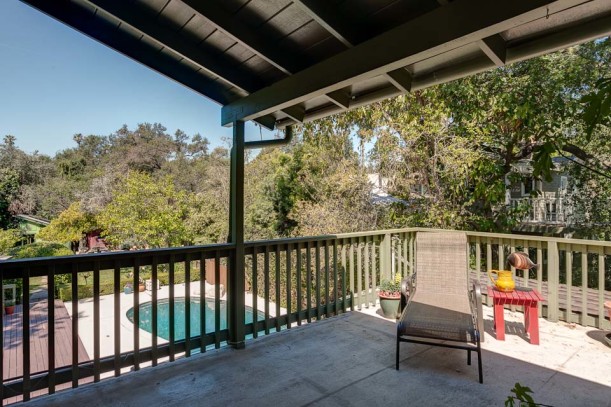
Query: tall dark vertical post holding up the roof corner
(236,279)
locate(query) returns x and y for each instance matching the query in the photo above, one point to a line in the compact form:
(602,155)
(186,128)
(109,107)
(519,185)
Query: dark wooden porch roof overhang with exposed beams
(283,62)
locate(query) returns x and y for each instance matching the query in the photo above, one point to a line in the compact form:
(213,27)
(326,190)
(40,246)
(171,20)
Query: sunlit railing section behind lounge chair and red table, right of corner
(573,274)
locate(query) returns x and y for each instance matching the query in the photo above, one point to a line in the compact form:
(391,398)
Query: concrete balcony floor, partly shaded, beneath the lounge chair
(349,361)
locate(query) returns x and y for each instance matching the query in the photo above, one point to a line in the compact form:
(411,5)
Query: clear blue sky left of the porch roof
(56,82)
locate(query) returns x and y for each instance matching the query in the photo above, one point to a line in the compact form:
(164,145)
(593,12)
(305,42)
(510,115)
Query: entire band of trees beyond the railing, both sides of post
(447,153)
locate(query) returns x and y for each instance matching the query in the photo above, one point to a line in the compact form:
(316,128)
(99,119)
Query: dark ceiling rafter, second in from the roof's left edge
(246,36)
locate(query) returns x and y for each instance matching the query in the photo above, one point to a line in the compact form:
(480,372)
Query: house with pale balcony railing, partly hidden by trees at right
(549,209)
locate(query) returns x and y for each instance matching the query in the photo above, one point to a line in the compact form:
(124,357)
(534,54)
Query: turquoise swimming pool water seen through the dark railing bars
(163,317)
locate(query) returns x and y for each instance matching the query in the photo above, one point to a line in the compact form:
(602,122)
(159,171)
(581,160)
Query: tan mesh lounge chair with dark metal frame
(442,308)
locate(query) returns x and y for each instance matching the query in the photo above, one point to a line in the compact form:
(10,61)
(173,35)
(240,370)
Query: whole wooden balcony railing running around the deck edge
(289,282)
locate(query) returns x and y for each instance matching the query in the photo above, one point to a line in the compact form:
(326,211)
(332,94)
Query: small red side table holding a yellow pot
(529,299)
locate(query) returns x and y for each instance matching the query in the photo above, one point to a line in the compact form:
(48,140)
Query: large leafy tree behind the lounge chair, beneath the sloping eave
(448,151)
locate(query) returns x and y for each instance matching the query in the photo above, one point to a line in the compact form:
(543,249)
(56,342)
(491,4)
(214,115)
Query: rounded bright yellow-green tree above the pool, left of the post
(146,212)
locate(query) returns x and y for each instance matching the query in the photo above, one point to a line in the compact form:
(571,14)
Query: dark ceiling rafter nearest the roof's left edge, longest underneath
(214,64)
